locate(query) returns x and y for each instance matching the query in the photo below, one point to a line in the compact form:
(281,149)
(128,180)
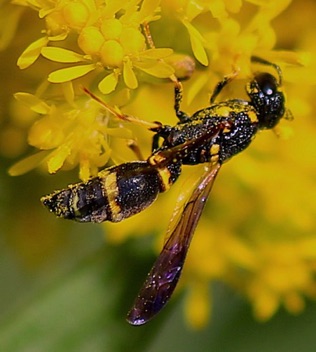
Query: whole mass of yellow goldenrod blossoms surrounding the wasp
(258,230)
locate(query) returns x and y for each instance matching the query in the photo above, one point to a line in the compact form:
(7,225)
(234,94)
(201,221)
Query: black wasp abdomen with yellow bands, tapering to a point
(115,194)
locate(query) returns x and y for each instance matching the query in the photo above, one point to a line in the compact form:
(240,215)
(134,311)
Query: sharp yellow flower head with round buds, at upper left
(109,37)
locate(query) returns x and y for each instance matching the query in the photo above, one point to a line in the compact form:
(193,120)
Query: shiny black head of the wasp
(267,98)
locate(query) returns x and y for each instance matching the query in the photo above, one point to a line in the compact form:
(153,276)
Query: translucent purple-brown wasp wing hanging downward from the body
(164,275)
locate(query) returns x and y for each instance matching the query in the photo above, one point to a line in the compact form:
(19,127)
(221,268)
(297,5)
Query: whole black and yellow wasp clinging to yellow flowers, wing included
(212,136)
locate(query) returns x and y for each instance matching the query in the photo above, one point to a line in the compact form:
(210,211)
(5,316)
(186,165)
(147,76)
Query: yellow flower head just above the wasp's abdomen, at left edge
(69,134)
